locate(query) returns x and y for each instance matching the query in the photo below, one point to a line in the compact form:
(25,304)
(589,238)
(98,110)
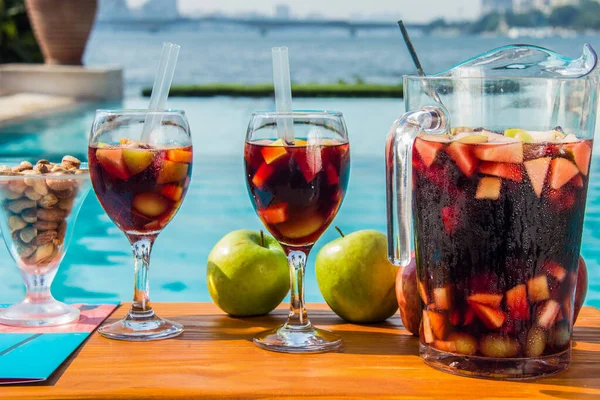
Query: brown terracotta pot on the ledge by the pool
(62,28)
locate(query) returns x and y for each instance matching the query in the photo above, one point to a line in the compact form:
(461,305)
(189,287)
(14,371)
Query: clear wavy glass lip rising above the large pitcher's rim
(525,61)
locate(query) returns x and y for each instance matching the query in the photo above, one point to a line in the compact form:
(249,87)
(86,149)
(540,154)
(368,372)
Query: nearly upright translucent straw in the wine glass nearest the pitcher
(283,93)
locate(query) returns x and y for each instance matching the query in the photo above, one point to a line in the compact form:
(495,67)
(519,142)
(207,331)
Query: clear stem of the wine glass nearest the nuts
(141,296)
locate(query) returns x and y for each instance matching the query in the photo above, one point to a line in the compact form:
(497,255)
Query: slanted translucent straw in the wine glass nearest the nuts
(161,87)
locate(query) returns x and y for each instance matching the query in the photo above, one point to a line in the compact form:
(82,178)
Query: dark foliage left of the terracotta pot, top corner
(17,43)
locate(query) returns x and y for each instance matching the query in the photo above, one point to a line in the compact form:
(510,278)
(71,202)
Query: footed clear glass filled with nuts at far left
(40,205)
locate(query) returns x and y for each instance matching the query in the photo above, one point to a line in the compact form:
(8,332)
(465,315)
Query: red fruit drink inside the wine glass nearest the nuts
(140,187)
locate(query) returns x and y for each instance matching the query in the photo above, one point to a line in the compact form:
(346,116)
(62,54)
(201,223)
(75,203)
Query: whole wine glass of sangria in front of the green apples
(297,188)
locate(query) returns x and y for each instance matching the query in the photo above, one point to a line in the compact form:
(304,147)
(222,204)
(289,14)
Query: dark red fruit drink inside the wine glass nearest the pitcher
(297,189)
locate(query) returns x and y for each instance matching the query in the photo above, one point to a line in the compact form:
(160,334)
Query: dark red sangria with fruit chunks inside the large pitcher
(499,220)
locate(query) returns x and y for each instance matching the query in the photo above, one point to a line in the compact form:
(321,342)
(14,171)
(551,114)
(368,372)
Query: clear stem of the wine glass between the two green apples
(297,318)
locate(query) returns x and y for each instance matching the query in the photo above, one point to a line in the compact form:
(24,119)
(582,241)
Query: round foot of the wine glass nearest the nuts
(141,329)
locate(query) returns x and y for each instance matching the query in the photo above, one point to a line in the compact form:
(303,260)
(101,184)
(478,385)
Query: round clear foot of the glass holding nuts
(50,312)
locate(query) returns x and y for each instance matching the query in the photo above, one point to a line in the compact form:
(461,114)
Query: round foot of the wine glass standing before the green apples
(298,340)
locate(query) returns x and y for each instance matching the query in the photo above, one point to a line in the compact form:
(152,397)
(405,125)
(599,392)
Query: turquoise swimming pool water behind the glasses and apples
(98,264)
